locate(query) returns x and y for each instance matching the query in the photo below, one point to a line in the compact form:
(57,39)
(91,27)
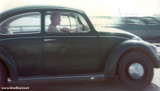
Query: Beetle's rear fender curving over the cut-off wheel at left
(9,63)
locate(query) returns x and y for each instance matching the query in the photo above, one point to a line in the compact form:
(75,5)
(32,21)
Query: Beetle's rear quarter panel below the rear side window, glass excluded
(27,53)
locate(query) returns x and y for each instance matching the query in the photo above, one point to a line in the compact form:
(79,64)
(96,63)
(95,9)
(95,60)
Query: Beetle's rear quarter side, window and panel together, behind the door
(21,37)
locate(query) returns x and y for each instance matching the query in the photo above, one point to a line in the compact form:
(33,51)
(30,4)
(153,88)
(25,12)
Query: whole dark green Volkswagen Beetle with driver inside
(31,50)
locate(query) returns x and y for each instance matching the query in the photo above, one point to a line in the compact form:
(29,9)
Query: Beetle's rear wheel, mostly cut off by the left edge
(3,76)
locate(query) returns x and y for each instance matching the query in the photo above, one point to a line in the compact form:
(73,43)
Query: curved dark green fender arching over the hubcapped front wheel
(126,46)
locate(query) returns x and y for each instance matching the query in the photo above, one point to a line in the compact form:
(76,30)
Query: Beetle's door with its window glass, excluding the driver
(70,53)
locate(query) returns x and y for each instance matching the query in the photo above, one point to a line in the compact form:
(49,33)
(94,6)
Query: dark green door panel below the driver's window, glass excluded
(71,54)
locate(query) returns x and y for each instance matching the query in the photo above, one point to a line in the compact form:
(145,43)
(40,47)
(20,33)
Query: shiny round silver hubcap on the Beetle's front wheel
(136,71)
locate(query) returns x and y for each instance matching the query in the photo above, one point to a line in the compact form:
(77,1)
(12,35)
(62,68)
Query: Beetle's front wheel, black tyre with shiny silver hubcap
(135,70)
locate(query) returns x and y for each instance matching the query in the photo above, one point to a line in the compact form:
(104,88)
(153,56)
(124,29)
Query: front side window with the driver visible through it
(65,22)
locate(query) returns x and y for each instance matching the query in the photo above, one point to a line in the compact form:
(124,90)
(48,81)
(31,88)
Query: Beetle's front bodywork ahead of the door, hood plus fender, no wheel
(113,51)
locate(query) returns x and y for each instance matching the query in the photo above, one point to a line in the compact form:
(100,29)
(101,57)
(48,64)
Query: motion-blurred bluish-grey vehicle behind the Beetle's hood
(148,28)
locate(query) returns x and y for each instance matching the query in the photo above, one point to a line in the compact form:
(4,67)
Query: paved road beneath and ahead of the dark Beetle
(84,85)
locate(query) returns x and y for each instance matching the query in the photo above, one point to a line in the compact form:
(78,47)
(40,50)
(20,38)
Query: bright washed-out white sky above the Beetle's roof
(94,7)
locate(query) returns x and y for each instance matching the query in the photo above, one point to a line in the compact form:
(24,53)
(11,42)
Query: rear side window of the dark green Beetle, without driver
(26,23)
